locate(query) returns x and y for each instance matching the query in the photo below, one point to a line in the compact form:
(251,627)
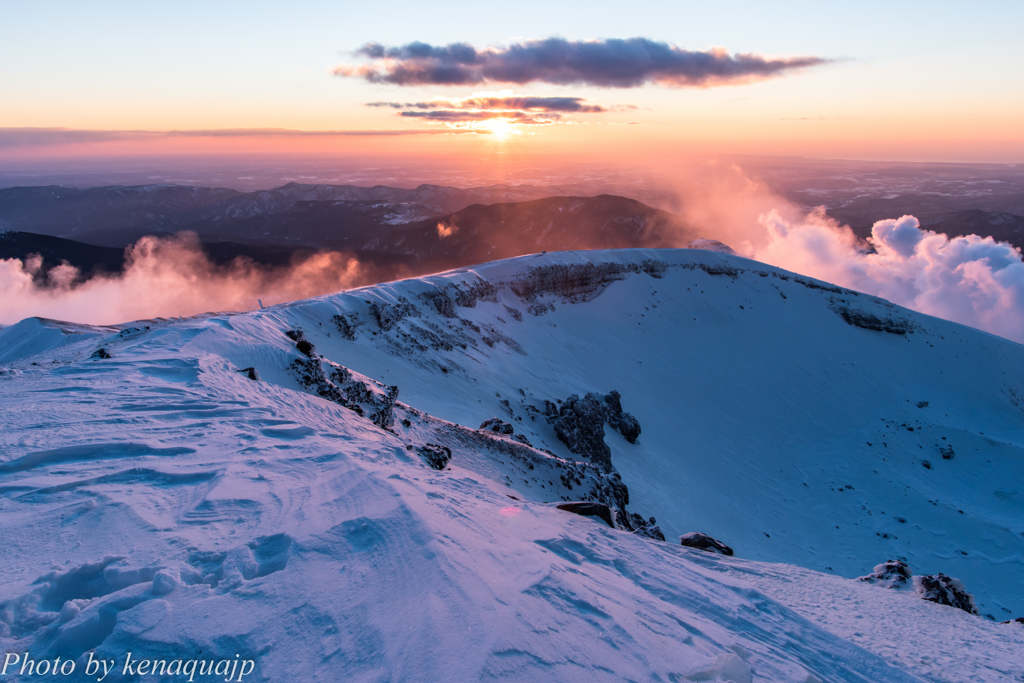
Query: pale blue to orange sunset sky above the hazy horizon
(913,81)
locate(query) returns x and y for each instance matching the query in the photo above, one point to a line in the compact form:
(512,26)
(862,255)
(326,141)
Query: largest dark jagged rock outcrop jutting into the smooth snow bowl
(579,423)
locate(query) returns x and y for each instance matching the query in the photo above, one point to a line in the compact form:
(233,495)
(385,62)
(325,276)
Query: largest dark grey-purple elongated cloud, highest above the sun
(612,63)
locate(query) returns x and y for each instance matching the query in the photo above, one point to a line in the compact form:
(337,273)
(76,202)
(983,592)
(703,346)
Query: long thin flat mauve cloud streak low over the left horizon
(39,138)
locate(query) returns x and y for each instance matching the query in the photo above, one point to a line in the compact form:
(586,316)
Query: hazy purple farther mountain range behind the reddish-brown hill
(318,217)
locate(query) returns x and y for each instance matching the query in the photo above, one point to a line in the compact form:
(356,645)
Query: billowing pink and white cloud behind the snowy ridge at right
(970,280)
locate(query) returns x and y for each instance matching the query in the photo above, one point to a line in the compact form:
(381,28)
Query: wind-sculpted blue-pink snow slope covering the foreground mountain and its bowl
(162,502)
